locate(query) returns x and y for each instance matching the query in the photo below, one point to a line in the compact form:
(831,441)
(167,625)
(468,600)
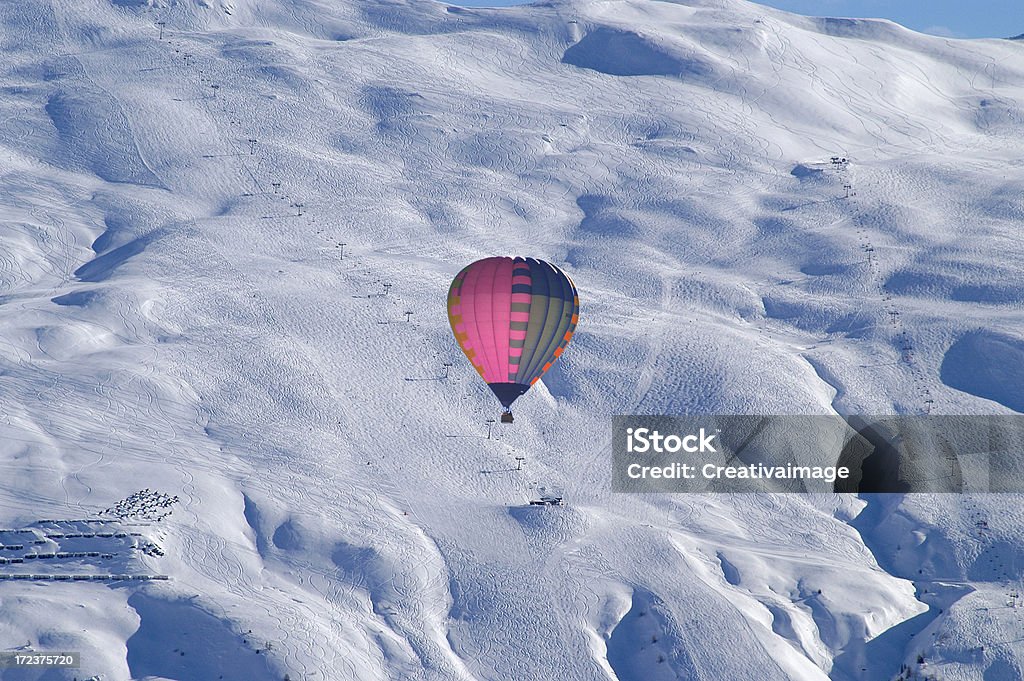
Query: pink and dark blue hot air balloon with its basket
(514,319)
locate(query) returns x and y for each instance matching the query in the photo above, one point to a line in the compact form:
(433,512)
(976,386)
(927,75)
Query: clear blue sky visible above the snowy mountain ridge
(960,19)
